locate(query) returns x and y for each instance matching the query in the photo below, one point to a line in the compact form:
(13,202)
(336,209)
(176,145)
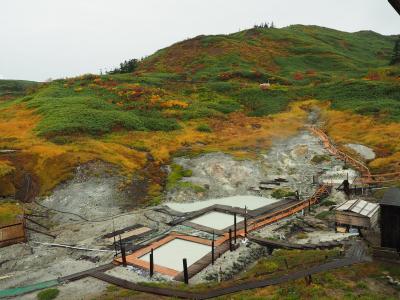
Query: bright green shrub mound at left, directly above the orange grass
(66,111)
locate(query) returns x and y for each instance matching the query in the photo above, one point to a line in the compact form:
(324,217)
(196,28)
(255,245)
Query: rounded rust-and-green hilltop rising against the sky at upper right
(279,51)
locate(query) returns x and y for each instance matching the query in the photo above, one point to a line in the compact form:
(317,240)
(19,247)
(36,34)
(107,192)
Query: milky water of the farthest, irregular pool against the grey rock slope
(252,202)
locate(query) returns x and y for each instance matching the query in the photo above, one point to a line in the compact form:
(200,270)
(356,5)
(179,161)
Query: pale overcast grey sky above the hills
(58,38)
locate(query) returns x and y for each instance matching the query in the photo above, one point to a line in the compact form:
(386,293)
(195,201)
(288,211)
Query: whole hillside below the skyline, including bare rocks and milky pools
(191,142)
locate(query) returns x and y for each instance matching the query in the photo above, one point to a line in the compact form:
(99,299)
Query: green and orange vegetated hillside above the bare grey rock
(202,95)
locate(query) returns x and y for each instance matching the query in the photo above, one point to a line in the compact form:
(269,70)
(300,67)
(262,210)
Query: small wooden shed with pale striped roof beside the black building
(357,213)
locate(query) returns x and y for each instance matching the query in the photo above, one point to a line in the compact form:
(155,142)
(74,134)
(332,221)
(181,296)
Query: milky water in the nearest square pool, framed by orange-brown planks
(170,255)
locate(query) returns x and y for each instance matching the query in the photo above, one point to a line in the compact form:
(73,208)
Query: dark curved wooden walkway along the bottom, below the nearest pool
(226,290)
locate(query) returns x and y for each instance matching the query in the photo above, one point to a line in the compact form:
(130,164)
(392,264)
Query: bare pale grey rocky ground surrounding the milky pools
(82,210)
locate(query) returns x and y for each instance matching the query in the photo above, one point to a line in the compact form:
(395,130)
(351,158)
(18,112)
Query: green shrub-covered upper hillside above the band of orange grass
(218,75)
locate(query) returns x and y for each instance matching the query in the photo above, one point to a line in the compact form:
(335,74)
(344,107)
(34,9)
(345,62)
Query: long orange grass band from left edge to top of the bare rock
(52,163)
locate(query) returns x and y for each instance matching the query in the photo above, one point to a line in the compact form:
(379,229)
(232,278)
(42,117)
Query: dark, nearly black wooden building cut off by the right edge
(390,219)
